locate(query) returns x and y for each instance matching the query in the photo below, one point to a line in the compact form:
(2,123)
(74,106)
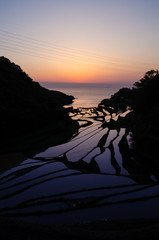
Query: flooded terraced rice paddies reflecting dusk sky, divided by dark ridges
(93,176)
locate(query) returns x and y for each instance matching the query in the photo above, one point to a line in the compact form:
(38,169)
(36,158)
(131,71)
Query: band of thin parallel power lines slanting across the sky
(46,50)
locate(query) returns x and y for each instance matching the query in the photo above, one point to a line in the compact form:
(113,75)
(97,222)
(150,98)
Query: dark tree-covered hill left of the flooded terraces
(31,116)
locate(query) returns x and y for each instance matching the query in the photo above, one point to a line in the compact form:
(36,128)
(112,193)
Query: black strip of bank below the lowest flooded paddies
(124,229)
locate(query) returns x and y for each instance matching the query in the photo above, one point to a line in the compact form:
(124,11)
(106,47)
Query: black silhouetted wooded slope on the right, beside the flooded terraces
(142,123)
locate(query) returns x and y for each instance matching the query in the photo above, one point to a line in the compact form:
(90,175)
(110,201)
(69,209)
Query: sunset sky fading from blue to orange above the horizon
(84,41)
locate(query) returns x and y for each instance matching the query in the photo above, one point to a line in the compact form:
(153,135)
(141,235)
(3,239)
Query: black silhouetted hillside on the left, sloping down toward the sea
(26,107)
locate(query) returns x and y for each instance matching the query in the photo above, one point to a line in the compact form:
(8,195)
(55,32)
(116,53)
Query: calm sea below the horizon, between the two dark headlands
(86,95)
